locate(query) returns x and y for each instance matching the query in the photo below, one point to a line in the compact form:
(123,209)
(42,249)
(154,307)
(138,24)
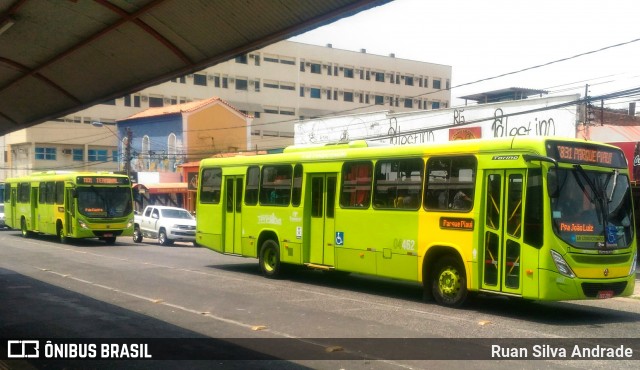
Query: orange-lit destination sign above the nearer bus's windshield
(580,153)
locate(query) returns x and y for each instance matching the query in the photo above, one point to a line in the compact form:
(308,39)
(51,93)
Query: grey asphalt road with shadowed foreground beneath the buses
(221,311)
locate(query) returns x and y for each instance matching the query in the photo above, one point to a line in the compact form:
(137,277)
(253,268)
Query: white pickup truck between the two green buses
(167,224)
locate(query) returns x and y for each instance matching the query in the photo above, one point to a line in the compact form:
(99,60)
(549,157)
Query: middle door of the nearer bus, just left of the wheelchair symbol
(323,200)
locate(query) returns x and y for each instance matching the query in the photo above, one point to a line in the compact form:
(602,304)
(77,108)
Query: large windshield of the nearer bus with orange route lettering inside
(591,209)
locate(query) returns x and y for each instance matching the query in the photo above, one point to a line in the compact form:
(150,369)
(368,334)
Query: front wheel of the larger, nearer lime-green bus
(449,282)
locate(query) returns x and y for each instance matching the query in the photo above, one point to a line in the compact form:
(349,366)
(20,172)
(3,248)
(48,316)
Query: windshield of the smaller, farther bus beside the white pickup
(104,202)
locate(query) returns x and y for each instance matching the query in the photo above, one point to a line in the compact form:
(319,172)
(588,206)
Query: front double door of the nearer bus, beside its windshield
(503,199)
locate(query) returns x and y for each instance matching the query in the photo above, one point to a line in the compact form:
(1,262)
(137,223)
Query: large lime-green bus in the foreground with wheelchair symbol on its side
(536,218)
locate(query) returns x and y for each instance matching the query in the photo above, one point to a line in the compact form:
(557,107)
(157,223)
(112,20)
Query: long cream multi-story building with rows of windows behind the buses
(278,85)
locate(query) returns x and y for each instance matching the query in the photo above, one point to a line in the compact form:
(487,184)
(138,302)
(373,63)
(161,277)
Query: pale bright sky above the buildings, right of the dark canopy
(482,39)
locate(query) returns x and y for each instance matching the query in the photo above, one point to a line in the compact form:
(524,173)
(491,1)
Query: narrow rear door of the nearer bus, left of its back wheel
(233,214)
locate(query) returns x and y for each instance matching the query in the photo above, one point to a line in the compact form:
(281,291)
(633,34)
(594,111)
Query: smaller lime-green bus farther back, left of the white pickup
(70,205)
